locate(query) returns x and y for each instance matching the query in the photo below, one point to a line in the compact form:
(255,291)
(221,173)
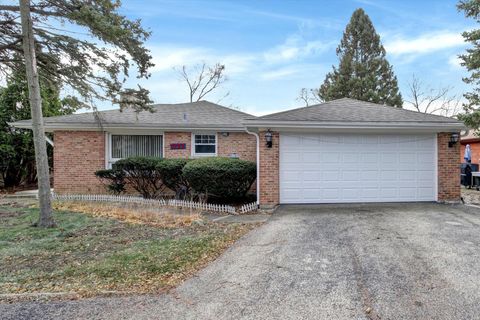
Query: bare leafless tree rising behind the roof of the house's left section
(203,79)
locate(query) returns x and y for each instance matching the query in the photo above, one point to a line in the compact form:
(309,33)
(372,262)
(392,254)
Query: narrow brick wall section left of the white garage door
(269,172)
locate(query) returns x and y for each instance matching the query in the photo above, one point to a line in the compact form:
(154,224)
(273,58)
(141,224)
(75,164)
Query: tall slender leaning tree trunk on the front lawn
(41,158)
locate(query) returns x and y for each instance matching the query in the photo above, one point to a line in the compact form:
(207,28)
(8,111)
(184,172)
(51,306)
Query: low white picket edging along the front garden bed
(156,202)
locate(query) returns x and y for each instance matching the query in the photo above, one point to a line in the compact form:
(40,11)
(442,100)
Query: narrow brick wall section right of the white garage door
(448,169)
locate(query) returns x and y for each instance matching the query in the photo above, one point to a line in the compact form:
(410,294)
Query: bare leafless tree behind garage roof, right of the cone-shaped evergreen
(435,101)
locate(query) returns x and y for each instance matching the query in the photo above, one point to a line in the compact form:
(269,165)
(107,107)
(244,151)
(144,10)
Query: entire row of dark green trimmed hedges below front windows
(223,178)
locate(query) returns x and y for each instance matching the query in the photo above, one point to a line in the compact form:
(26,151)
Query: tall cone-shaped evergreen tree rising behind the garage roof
(363,73)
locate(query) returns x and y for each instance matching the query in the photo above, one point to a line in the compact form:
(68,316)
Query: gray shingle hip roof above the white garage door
(351,110)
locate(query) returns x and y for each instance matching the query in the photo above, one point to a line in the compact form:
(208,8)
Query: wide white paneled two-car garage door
(340,168)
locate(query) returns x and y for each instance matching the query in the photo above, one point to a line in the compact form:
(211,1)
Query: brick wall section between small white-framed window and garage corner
(241,143)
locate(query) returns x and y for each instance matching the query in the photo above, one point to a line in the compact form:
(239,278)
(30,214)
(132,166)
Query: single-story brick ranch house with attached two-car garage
(336,152)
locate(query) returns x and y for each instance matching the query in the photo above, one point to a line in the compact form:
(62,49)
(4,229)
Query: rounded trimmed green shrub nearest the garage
(221,177)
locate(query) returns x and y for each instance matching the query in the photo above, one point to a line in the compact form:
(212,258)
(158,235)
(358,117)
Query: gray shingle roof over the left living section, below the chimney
(201,114)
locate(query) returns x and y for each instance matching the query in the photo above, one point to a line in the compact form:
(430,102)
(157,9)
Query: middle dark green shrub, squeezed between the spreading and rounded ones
(172,176)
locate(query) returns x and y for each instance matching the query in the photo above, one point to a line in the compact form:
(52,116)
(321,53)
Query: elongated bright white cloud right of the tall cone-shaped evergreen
(425,43)
